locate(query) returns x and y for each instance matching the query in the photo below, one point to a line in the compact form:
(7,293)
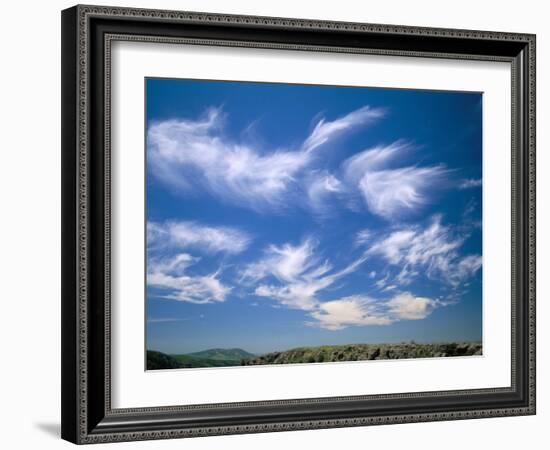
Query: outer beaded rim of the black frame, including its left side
(75,218)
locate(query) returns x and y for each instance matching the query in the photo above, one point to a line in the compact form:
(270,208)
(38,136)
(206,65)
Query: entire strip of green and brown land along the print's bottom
(327,353)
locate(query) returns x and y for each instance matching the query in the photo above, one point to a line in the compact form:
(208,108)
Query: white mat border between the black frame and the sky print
(133,387)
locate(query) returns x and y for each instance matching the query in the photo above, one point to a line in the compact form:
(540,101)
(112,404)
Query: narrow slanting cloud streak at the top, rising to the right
(326,130)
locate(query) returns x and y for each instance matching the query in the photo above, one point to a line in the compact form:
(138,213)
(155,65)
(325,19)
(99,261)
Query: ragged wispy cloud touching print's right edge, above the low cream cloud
(432,250)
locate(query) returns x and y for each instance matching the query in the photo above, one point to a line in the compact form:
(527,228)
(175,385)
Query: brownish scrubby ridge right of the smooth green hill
(362,352)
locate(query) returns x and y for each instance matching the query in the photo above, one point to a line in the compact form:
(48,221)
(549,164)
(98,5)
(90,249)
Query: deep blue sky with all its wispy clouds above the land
(282,215)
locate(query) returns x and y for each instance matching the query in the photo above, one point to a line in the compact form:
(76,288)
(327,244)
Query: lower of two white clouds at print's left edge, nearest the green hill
(170,276)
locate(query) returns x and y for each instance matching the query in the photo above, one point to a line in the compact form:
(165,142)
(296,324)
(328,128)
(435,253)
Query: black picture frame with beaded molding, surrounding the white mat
(87,35)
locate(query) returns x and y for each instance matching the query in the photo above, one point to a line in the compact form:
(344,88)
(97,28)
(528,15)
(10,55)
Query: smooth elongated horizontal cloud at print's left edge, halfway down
(188,234)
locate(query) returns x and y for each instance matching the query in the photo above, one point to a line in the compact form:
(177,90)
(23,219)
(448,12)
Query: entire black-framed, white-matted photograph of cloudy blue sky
(281,224)
